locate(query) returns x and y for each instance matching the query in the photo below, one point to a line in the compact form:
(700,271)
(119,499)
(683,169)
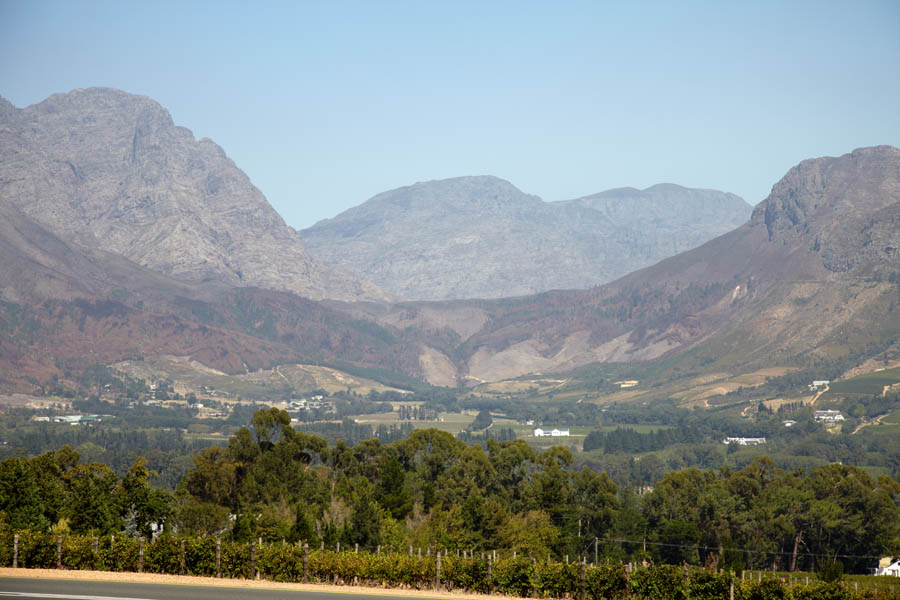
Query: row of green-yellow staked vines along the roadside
(488,573)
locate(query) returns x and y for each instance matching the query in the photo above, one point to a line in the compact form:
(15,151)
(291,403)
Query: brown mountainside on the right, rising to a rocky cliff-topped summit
(812,274)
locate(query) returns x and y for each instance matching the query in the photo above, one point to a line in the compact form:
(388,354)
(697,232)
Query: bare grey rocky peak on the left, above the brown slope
(110,170)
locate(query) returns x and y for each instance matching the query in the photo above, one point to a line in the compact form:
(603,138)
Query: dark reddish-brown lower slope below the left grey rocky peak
(65,308)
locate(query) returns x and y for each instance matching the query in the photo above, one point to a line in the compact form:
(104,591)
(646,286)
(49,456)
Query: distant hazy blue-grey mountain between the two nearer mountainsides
(481,237)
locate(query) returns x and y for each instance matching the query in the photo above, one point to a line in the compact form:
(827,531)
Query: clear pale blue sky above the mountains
(325,104)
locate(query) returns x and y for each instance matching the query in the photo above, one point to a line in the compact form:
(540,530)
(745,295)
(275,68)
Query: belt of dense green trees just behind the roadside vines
(432,490)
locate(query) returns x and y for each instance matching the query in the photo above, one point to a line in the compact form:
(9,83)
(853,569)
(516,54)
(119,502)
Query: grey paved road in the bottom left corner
(108,590)
